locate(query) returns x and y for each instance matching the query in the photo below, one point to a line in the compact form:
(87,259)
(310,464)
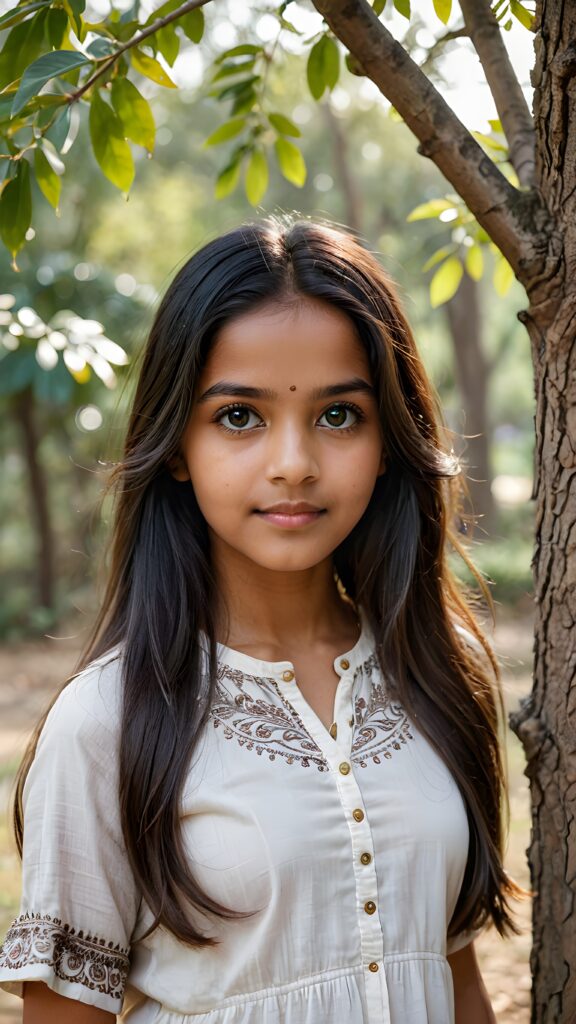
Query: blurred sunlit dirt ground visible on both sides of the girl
(31,672)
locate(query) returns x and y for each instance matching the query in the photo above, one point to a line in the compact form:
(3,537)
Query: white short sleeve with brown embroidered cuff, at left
(79,904)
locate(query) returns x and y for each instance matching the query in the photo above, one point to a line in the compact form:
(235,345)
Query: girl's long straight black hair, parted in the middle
(161,589)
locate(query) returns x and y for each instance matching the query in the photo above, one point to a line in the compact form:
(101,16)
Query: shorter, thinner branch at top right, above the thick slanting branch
(511,103)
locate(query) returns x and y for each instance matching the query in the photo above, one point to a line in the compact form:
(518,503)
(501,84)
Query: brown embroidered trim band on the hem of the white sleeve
(72,956)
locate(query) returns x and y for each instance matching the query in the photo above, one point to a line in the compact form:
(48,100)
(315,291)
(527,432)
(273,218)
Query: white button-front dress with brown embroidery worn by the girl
(350,849)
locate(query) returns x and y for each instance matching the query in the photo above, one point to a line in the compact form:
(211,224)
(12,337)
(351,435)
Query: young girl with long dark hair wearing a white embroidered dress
(274,792)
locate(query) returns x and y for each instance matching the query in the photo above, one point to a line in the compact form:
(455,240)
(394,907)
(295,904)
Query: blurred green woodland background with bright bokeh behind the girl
(108,261)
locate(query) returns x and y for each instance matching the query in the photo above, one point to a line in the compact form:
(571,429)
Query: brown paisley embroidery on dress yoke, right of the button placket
(382,726)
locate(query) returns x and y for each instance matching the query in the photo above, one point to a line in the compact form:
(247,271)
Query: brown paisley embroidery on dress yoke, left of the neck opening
(267,723)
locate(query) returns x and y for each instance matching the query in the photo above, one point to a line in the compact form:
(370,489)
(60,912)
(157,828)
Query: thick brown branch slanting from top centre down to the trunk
(510,218)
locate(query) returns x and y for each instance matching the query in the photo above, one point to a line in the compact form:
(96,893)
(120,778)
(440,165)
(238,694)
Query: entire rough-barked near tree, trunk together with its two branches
(536,229)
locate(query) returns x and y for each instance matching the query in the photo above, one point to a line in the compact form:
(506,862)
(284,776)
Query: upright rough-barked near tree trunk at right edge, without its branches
(547,720)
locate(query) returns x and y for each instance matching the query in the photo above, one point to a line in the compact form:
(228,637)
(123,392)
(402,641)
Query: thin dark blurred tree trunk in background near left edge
(25,414)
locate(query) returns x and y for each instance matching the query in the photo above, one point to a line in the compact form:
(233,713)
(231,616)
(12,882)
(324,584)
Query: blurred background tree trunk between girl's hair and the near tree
(472,378)
